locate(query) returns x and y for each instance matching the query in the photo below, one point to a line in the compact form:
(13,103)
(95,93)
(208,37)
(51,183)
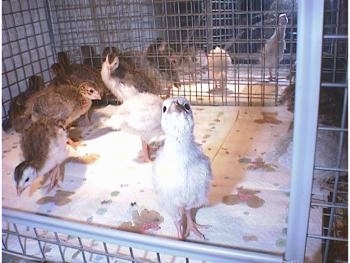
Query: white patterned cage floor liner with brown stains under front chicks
(248,202)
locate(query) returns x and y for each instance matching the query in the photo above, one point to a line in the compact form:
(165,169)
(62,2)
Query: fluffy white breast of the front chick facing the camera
(181,177)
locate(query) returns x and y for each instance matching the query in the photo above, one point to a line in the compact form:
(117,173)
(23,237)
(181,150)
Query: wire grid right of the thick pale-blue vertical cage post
(331,164)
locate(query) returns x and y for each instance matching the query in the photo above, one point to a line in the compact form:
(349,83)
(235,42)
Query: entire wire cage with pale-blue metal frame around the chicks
(244,33)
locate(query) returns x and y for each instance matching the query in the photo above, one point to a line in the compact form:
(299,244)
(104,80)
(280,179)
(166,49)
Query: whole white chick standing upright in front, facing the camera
(181,171)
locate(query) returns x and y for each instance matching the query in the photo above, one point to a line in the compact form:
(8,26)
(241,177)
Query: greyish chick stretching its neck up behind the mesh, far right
(272,52)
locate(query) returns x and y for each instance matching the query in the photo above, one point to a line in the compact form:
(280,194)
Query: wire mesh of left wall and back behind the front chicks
(31,42)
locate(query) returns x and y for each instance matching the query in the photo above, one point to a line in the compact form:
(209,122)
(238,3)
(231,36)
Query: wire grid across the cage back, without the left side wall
(191,29)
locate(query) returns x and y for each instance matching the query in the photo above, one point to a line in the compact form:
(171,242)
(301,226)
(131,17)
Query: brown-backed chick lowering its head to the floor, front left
(44,149)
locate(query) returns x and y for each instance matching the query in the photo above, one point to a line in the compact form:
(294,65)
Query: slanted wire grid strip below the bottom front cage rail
(37,243)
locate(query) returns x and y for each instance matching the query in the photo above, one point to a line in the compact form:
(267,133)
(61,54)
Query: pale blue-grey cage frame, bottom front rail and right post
(305,122)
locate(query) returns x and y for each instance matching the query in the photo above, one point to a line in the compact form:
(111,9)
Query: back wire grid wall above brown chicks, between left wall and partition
(102,23)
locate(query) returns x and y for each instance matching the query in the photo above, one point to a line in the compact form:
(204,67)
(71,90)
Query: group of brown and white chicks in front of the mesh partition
(43,115)
